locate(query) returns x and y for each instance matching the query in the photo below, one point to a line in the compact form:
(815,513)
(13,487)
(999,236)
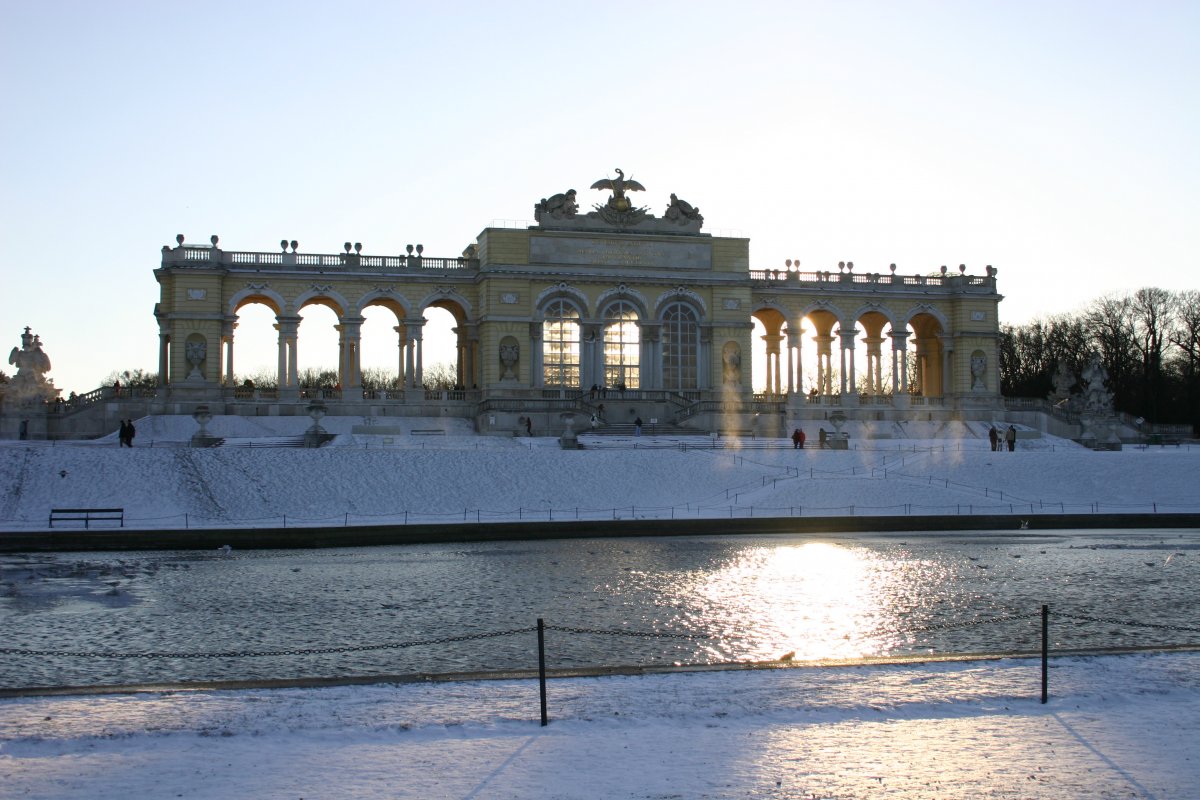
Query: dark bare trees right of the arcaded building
(1149,341)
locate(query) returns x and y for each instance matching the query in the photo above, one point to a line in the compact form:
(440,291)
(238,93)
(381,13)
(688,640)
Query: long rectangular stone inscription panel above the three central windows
(626,252)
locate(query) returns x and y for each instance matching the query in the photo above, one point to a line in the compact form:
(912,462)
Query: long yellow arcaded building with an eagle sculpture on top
(659,316)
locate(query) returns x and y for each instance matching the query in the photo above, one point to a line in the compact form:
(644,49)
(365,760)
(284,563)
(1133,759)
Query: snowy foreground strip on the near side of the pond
(1115,727)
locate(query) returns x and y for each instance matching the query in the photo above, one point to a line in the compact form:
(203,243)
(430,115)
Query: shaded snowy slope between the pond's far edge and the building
(457,476)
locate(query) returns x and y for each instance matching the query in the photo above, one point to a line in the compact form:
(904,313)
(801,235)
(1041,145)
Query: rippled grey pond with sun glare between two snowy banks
(733,599)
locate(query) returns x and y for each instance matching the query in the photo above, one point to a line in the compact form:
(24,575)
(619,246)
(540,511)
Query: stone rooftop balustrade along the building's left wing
(207,257)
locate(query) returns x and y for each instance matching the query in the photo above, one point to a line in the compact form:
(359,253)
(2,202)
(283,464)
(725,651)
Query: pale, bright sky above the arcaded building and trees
(1055,141)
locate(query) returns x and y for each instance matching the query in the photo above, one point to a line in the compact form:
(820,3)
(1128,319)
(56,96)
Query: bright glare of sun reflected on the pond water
(815,600)
